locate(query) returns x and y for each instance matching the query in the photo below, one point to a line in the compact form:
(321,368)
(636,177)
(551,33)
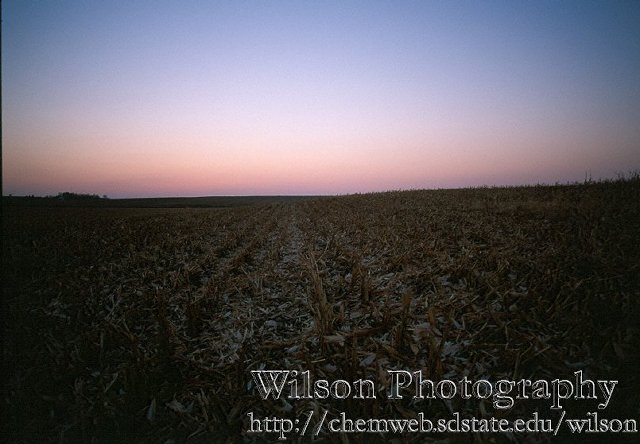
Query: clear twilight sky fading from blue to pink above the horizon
(192,98)
